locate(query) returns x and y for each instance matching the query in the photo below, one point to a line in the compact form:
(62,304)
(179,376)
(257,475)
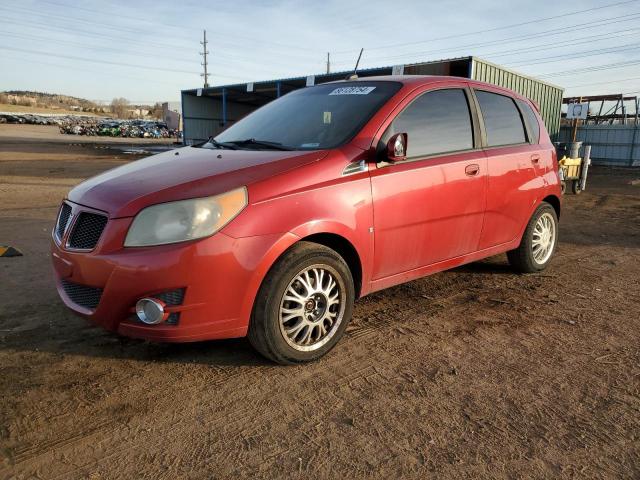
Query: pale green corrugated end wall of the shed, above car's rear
(548,97)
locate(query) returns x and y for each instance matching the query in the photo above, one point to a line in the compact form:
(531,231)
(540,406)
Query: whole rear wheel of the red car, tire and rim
(538,241)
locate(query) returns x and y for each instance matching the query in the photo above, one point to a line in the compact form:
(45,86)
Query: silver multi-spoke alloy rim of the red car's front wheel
(312,308)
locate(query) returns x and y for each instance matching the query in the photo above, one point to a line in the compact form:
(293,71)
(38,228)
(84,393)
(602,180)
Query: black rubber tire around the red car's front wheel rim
(265,333)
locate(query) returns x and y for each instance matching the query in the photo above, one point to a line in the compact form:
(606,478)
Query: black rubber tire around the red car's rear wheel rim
(522,258)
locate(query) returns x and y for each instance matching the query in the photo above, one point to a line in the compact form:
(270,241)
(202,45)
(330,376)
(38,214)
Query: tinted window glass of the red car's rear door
(502,120)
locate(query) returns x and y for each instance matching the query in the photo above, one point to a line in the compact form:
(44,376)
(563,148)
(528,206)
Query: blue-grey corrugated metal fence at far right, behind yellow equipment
(610,144)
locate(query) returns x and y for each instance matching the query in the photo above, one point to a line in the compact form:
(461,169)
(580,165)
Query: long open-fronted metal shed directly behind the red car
(208,111)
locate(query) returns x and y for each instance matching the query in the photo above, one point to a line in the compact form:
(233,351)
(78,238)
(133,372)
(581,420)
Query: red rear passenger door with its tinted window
(513,181)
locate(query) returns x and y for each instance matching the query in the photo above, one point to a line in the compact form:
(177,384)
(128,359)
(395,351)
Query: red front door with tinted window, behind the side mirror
(430,207)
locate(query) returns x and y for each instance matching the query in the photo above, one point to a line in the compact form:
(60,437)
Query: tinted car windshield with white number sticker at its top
(321,117)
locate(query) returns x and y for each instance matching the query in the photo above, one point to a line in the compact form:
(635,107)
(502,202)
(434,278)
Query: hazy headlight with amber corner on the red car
(185,220)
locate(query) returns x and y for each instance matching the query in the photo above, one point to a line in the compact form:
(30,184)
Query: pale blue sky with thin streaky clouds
(147,51)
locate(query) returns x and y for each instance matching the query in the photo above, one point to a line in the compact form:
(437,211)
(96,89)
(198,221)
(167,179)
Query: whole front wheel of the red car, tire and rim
(303,306)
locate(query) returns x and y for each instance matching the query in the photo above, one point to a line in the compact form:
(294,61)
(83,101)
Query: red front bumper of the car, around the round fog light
(220,276)
